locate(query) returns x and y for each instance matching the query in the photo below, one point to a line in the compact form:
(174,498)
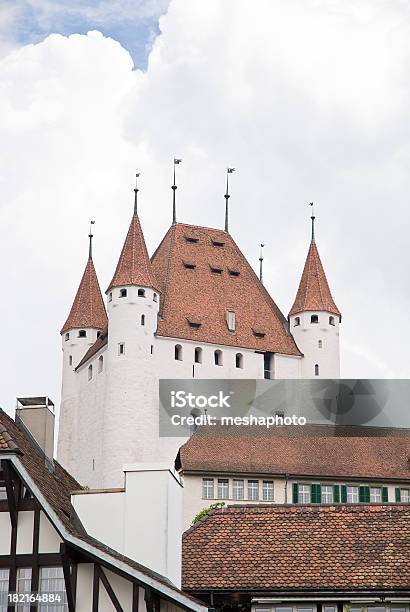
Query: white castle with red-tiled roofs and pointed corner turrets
(196,309)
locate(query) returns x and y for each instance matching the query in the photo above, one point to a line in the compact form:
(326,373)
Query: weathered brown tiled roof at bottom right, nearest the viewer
(282,547)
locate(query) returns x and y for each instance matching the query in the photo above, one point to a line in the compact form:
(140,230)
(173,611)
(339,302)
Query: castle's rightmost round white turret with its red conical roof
(314,319)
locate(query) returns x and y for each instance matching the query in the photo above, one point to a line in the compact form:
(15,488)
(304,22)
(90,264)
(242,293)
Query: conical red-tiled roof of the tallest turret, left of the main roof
(134,267)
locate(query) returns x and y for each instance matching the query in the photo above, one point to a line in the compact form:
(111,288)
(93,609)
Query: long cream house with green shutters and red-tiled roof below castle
(314,465)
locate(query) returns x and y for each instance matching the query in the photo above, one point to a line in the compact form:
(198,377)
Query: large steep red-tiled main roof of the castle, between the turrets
(202,274)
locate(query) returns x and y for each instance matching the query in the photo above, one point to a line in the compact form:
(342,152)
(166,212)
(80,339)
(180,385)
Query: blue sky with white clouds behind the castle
(308,99)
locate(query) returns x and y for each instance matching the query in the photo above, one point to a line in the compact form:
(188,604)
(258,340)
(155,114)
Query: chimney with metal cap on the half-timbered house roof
(35,415)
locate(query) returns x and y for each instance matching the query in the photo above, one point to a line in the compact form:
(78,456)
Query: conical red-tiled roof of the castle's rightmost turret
(314,292)
